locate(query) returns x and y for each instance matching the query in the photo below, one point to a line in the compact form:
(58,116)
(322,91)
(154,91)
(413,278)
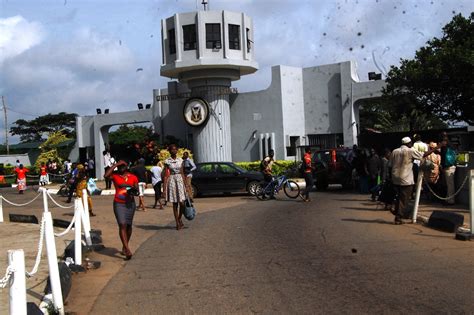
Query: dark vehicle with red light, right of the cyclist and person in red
(331,167)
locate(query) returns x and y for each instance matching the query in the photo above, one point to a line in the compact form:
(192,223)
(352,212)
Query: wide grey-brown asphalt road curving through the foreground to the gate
(334,255)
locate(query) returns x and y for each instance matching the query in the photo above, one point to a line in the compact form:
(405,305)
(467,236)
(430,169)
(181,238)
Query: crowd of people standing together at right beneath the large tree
(400,168)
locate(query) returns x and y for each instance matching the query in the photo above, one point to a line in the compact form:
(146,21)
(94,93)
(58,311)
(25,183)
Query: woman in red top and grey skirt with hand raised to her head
(126,186)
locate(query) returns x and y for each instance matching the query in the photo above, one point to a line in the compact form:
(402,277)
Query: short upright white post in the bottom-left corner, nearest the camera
(16,259)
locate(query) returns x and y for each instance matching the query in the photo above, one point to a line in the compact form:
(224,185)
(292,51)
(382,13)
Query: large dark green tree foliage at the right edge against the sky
(439,79)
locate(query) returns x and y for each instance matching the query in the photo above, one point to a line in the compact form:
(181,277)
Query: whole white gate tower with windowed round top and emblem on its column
(207,50)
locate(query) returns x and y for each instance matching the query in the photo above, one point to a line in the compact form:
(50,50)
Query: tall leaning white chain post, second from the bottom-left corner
(53,263)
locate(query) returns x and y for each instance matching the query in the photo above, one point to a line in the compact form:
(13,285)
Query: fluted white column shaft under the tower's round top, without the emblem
(212,142)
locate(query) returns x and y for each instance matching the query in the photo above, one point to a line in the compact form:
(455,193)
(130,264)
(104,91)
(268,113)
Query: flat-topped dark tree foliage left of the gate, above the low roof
(36,129)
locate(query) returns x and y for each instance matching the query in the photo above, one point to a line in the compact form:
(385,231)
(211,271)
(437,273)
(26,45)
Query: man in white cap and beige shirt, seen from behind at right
(402,175)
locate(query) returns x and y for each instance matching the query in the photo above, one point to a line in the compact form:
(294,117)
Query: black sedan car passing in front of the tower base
(223,177)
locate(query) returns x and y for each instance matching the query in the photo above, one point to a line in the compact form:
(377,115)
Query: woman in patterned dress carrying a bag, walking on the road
(174,187)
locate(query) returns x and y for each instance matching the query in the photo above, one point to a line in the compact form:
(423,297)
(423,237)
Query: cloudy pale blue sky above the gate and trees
(76,55)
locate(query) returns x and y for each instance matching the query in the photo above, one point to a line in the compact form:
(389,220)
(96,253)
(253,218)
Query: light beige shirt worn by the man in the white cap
(402,165)
